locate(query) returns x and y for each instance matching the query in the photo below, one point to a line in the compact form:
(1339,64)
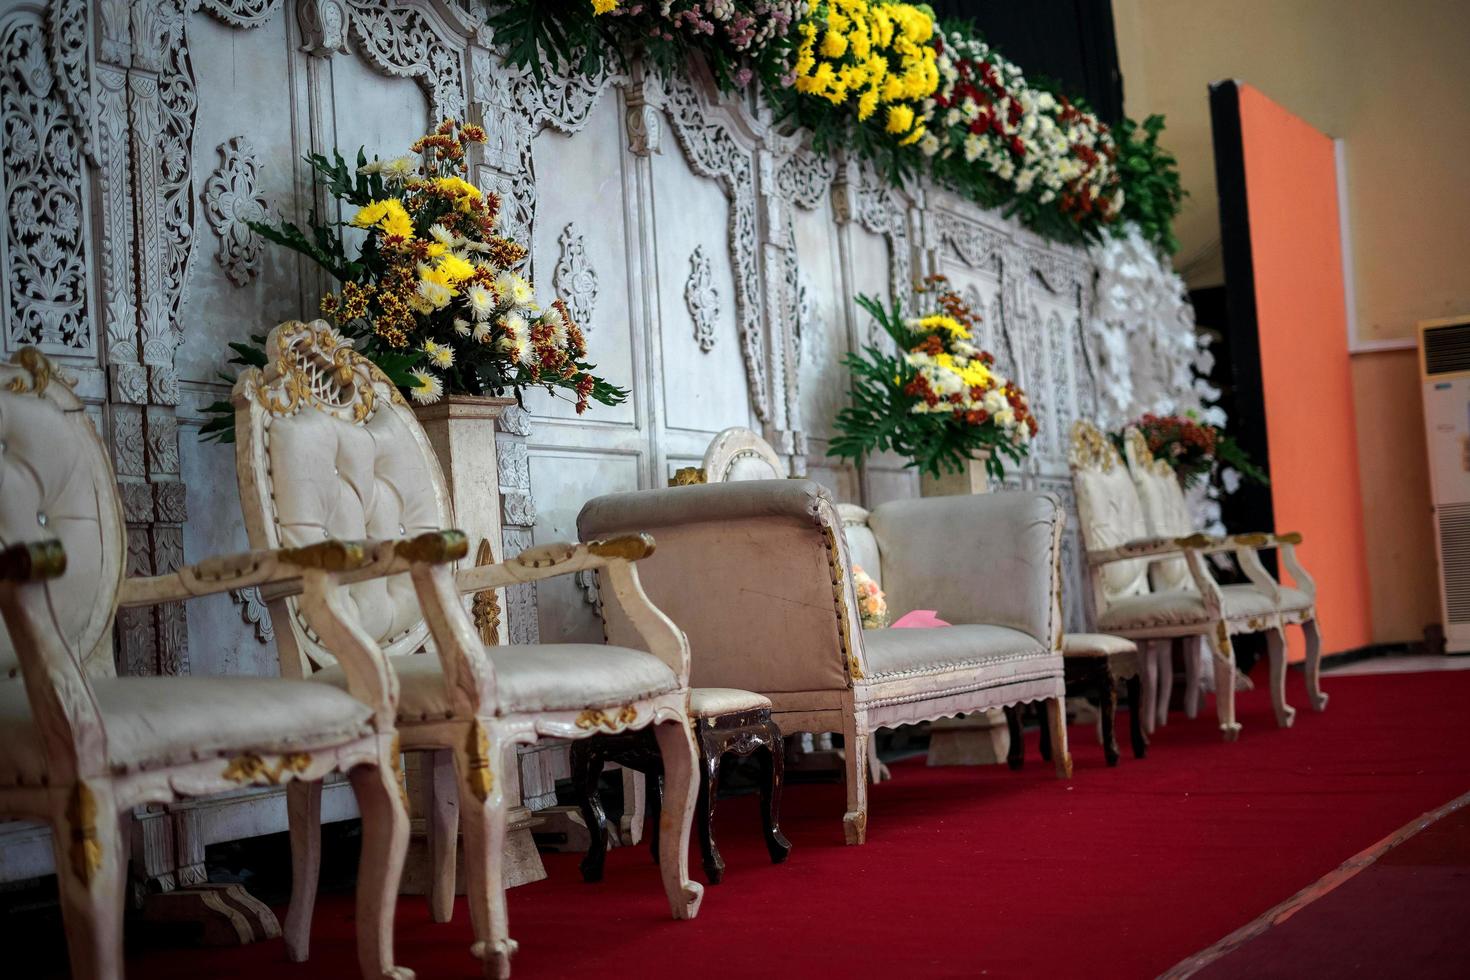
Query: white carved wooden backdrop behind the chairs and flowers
(712,259)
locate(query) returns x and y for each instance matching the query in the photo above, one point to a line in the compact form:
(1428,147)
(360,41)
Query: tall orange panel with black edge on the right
(1291,184)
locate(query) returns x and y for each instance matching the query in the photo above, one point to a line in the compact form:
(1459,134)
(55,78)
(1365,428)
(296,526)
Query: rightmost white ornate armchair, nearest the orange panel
(1166,514)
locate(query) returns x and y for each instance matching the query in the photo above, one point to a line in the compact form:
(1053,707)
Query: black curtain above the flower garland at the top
(1069,42)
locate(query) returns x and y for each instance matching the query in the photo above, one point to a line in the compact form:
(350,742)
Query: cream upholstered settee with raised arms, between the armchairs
(759,577)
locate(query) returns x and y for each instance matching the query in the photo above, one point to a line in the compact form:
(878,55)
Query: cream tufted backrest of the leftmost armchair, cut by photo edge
(57,484)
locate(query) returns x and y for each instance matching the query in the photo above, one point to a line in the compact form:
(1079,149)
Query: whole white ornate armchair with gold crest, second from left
(327,446)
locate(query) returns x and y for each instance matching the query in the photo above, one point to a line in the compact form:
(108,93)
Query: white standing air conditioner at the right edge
(1444,368)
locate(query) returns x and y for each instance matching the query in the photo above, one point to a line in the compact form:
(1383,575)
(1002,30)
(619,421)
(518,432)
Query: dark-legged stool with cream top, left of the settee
(725,721)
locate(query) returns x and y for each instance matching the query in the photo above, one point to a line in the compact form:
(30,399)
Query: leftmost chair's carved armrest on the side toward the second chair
(243,571)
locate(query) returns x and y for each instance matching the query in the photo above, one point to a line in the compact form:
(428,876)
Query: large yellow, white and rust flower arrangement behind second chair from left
(433,295)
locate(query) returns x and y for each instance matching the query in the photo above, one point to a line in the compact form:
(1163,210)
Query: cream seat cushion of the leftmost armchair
(158,722)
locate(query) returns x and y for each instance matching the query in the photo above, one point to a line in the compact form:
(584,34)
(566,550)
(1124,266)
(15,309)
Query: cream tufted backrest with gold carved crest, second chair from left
(326,447)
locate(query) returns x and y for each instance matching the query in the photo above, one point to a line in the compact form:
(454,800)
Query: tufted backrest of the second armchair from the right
(1109,509)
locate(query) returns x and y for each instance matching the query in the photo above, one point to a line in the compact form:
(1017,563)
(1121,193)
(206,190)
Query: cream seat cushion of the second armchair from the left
(533,678)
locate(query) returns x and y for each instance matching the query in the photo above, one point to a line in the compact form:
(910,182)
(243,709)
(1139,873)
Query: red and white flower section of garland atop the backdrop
(1011,145)
